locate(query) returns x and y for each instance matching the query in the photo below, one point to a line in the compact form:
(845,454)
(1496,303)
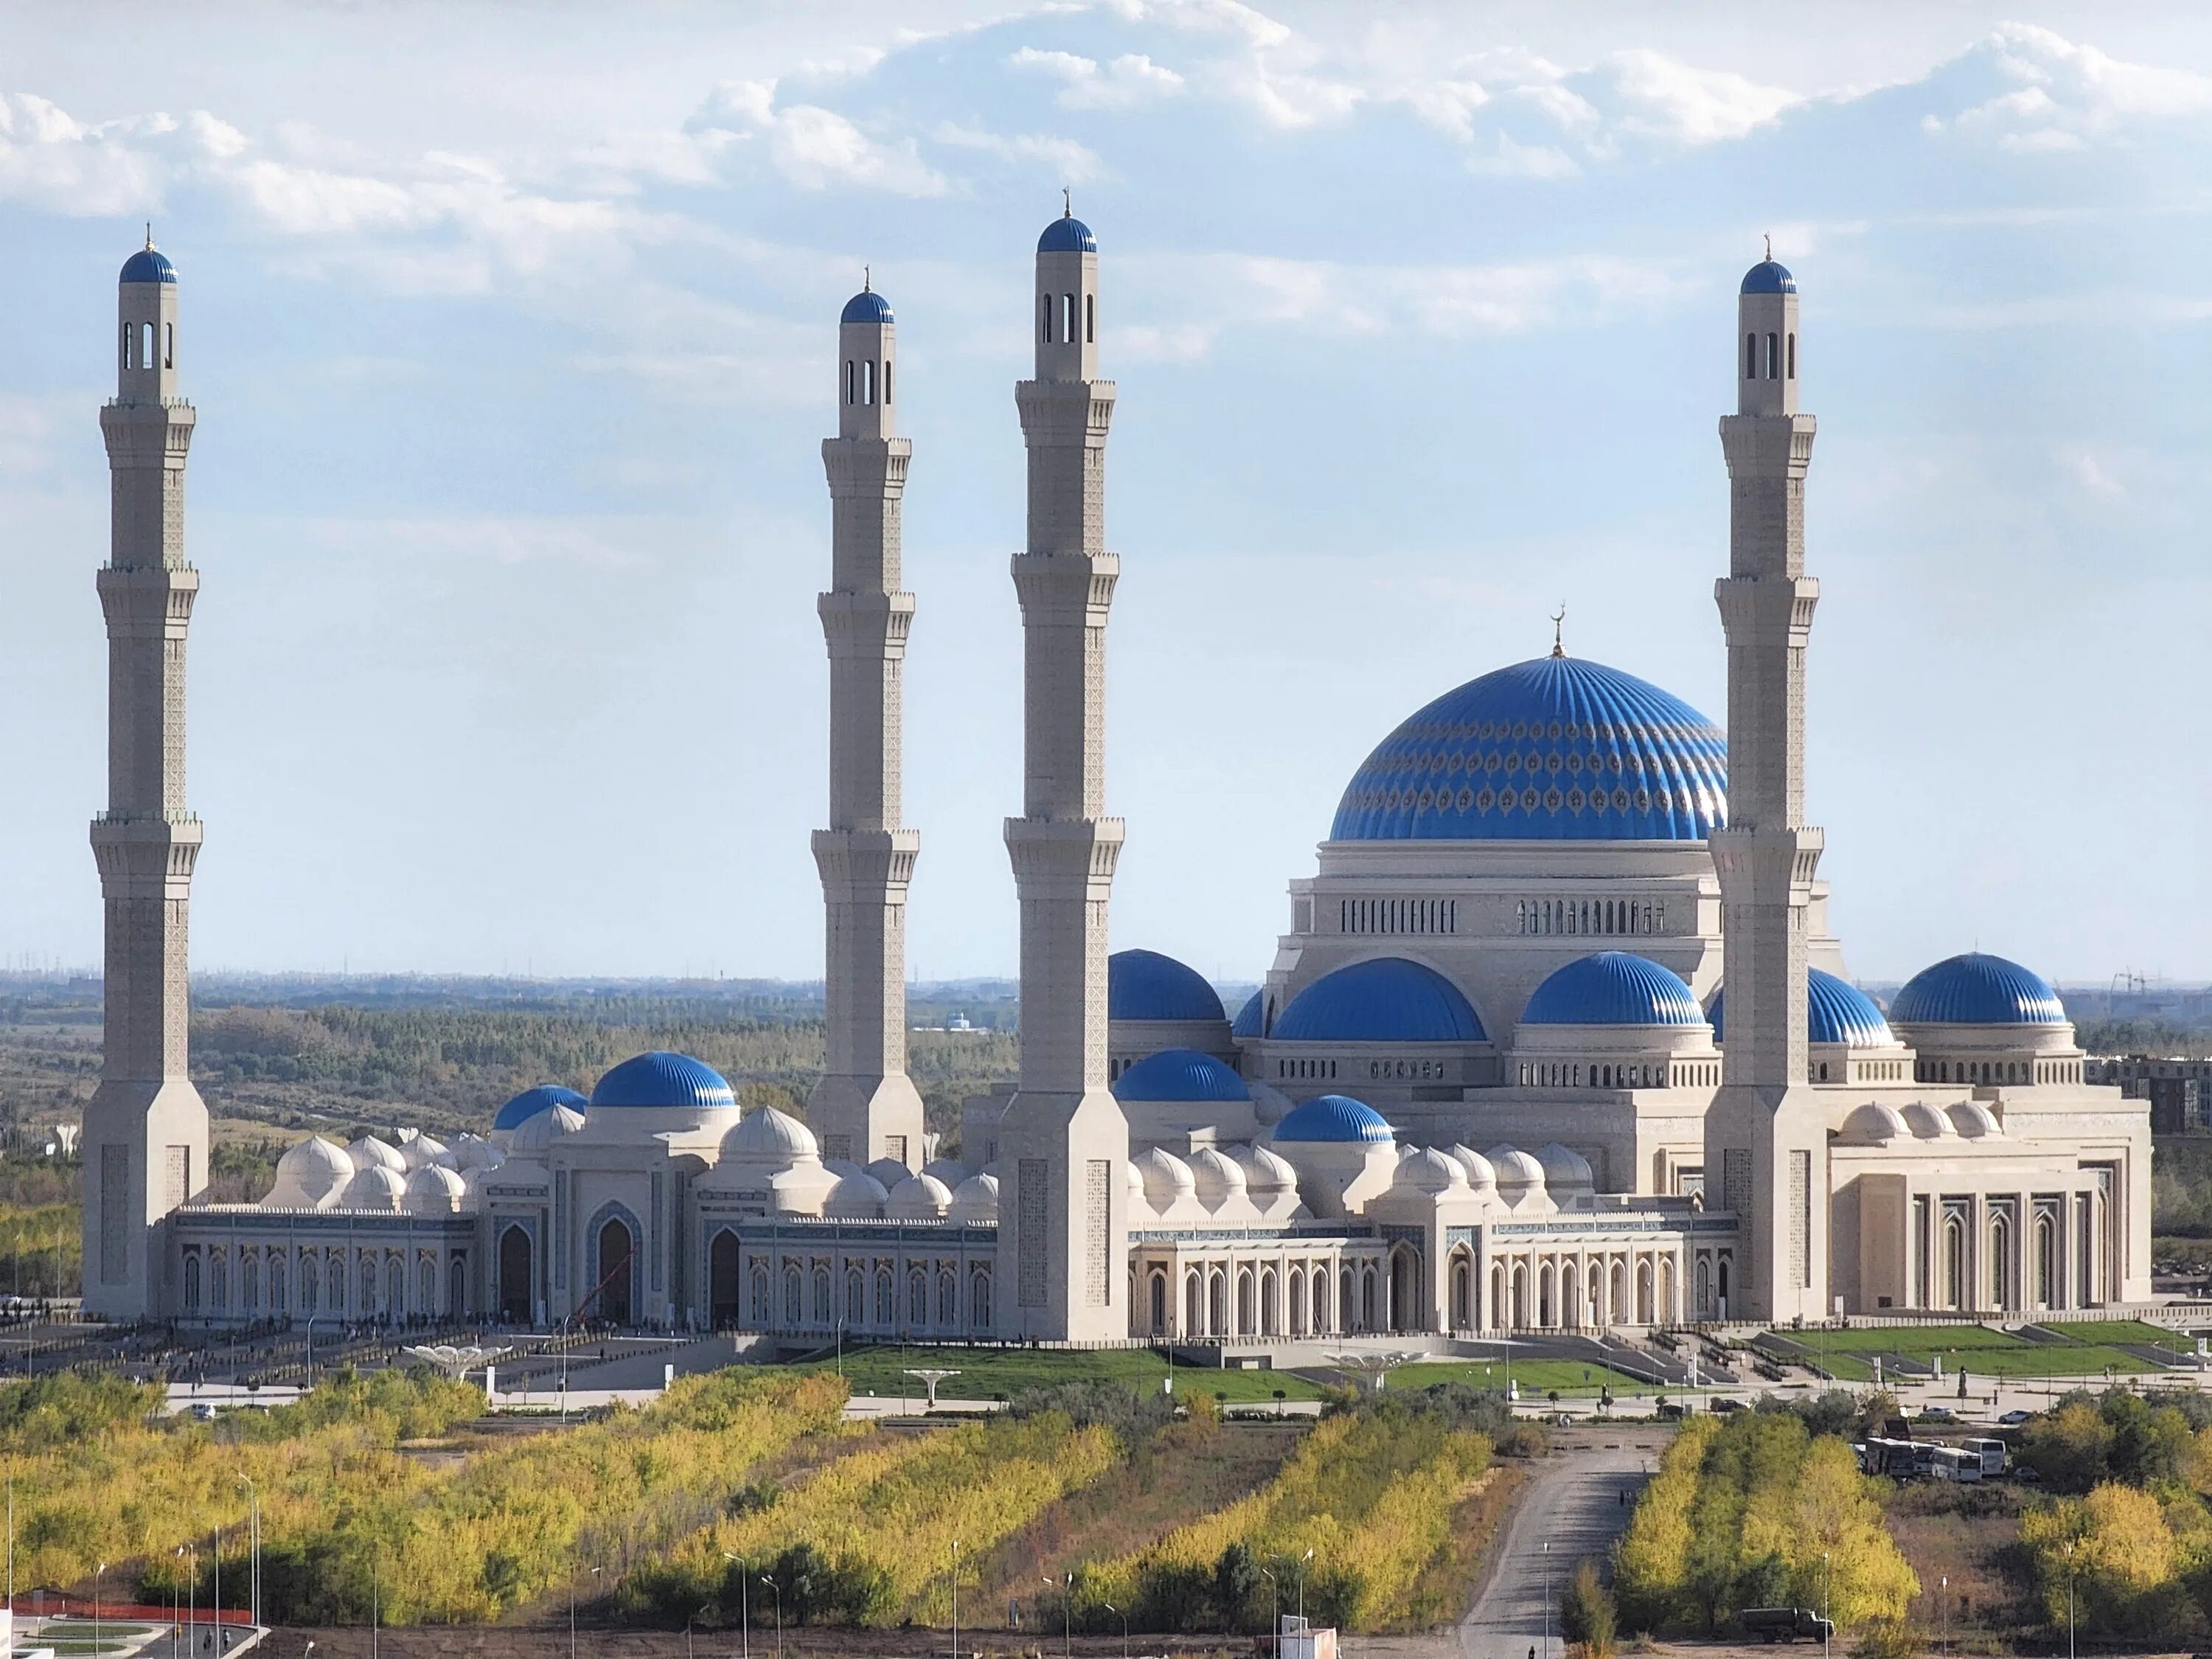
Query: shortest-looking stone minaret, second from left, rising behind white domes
(866,1107)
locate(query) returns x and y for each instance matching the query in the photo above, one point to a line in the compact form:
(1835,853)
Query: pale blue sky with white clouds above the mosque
(512,337)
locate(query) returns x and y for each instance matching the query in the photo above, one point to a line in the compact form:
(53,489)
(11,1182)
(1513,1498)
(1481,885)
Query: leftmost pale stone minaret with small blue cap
(145,1129)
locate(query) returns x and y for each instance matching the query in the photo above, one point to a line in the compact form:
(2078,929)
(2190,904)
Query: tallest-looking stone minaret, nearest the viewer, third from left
(1063,1240)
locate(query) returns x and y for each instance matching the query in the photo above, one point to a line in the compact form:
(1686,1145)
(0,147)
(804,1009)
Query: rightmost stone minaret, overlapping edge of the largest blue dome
(1766,1145)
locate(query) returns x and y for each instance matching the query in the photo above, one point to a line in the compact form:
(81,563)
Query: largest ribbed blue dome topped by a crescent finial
(1545,751)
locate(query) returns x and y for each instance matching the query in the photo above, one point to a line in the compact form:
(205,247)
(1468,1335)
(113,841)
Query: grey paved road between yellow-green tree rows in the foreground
(1574,1503)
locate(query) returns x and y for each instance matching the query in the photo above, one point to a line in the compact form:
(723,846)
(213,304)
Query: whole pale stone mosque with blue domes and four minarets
(1561,917)
